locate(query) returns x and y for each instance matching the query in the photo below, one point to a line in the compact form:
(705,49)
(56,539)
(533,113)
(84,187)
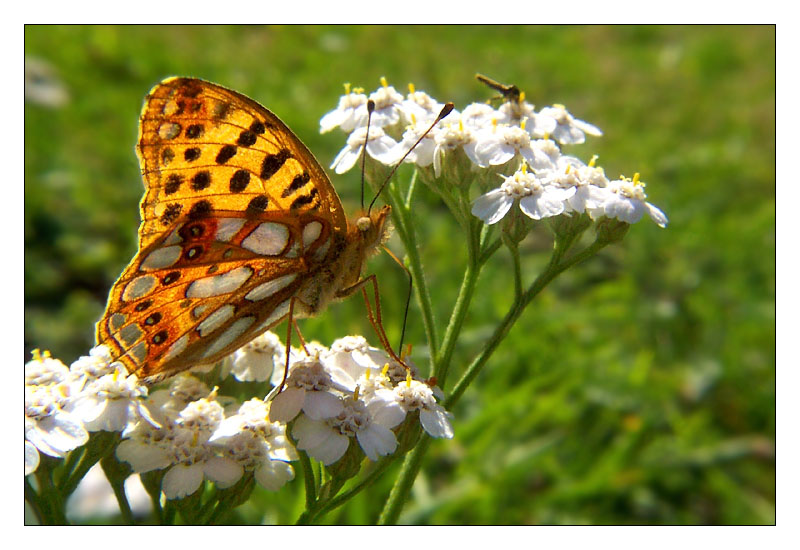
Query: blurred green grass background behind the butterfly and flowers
(638,389)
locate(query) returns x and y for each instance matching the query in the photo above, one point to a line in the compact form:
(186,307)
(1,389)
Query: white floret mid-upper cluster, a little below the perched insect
(501,144)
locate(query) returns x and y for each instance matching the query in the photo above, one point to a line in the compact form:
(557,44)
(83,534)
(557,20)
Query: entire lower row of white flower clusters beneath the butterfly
(348,391)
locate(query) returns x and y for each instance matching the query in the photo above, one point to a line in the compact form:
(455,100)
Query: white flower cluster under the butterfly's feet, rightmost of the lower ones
(351,391)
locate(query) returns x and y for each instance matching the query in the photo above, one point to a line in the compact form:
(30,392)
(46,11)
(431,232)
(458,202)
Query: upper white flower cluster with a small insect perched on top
(512,138)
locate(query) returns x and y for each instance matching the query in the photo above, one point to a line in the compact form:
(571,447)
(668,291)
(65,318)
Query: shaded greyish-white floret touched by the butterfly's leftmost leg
(309,388)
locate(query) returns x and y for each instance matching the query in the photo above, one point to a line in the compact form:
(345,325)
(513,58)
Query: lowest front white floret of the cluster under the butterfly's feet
(327,440)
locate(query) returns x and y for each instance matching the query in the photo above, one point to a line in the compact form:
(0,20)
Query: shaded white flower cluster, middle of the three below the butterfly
(198,437)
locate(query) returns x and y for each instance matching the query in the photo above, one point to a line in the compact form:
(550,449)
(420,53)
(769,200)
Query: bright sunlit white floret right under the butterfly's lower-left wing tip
(112,402)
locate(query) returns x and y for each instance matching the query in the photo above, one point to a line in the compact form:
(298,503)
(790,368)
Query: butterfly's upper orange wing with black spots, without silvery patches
(201,146)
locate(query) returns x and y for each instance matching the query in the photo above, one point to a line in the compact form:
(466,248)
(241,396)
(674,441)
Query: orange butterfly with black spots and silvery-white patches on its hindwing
(240,226)
